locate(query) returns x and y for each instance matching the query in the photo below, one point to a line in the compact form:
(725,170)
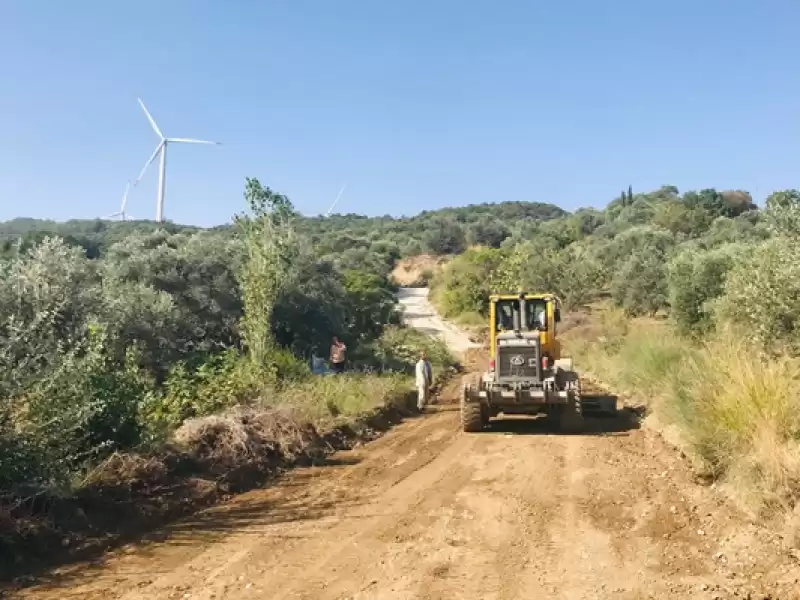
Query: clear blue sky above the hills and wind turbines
(416,104)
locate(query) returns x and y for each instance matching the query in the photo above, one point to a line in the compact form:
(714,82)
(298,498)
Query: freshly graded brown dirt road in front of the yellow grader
(427,512)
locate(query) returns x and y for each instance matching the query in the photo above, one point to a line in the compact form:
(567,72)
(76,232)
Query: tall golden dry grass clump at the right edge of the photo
(741,411)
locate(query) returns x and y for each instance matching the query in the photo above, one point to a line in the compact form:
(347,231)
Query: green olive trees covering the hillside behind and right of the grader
(703,257)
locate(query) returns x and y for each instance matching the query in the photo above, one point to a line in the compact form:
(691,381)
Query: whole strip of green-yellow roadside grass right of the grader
(736,410)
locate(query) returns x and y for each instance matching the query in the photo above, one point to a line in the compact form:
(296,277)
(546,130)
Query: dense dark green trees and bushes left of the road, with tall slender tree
(111,334)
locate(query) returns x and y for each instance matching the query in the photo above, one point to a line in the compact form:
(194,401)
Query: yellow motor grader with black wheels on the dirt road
(527,374)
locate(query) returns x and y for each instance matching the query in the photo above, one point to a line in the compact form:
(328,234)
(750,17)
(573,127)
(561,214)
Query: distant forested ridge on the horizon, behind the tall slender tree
(353,241)
